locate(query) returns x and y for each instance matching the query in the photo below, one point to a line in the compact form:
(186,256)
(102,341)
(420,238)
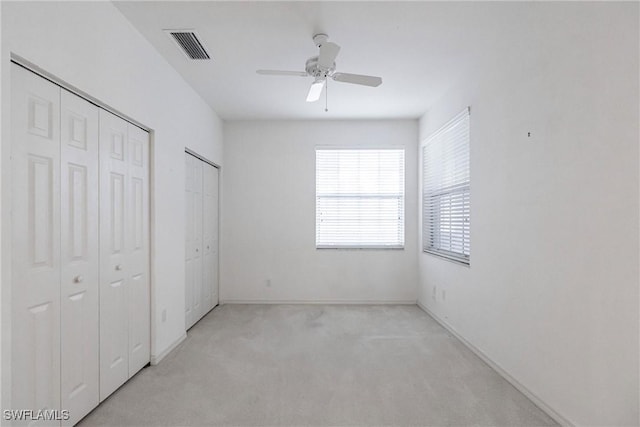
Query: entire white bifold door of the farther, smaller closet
(201,239)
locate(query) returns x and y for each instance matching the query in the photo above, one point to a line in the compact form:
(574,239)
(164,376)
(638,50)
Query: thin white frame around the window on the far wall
(404,198)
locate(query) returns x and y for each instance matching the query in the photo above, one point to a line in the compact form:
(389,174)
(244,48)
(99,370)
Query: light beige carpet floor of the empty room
(318,365)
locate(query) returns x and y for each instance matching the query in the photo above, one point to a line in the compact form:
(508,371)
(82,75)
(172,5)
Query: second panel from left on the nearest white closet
(79,256)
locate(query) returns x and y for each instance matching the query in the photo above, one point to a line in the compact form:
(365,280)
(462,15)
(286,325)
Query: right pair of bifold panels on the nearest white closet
(124,252)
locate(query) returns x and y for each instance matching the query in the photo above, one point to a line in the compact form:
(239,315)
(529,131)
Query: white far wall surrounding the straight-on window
(268,216)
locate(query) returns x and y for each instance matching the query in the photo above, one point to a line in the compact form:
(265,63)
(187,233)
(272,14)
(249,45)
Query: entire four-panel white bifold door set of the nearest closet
(80,292)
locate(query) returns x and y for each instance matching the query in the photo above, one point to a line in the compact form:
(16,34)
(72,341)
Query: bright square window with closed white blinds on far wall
(359,198)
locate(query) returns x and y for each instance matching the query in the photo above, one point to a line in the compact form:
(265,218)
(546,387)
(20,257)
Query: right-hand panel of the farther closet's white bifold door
(210,235)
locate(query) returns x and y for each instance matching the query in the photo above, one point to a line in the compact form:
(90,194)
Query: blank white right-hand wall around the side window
(552,292)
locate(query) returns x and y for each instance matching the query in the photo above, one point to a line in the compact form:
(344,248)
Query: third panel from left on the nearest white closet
(114,286)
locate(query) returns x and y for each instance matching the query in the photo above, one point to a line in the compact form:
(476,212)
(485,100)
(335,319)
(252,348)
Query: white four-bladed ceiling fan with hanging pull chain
(322,66)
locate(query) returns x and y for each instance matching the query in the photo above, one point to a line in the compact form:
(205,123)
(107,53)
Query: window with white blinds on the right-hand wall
(446,191)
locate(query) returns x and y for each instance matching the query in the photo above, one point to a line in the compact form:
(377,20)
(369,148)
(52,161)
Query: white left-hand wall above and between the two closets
(93,47)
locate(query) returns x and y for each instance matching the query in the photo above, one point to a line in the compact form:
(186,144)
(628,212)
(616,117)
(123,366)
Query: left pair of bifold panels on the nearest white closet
(55,248)
